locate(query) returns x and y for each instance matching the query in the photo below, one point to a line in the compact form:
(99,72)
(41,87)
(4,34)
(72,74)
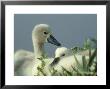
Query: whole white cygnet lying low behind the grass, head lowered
(63,58)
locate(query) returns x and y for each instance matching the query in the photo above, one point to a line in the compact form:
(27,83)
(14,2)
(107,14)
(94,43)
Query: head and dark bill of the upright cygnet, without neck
(42,33)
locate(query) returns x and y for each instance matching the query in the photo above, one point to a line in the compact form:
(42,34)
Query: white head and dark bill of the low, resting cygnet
(61,53)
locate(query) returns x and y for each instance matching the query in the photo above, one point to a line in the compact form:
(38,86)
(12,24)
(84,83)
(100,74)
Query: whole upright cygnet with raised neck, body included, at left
(24,60)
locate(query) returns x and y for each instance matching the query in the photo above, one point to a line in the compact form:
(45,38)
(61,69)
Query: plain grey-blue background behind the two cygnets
(69,29)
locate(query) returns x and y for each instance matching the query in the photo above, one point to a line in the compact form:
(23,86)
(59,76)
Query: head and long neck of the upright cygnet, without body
(40,35)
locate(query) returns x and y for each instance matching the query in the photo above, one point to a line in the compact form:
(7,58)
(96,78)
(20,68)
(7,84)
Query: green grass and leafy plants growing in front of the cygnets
(87,68)
